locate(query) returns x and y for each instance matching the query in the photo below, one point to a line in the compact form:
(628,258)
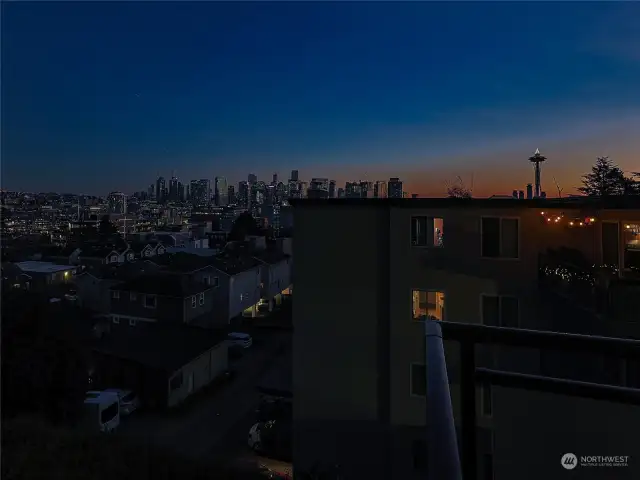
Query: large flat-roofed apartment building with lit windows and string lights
(369,272)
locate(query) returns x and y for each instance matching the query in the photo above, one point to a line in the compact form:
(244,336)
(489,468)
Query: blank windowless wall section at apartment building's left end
(335,350)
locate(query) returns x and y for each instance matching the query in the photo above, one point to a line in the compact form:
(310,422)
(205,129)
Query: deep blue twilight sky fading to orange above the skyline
(106,96)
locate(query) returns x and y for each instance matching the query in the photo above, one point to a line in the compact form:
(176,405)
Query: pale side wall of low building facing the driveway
(201,370)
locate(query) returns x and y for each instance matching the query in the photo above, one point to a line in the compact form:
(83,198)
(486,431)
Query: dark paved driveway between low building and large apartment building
(202,427)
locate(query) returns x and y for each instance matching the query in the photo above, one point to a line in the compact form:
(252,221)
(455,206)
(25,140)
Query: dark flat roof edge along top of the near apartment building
(609,203)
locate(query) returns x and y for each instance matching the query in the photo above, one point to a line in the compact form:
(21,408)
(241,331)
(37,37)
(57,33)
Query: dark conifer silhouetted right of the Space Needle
(607,179)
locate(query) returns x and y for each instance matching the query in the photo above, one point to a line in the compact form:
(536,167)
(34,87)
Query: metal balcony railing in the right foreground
(444,460)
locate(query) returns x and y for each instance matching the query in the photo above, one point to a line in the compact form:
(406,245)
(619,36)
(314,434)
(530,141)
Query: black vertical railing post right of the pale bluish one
(468,409)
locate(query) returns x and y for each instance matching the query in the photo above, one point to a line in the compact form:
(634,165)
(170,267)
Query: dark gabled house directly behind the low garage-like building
(161,298)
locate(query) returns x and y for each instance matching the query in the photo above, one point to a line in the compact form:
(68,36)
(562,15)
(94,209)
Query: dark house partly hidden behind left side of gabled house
(94,283)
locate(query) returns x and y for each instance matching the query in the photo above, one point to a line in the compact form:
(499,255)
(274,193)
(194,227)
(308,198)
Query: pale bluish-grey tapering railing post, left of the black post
(443,461)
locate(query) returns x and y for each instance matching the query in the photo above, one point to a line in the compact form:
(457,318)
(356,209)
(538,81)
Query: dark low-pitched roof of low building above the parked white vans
(165,347)
